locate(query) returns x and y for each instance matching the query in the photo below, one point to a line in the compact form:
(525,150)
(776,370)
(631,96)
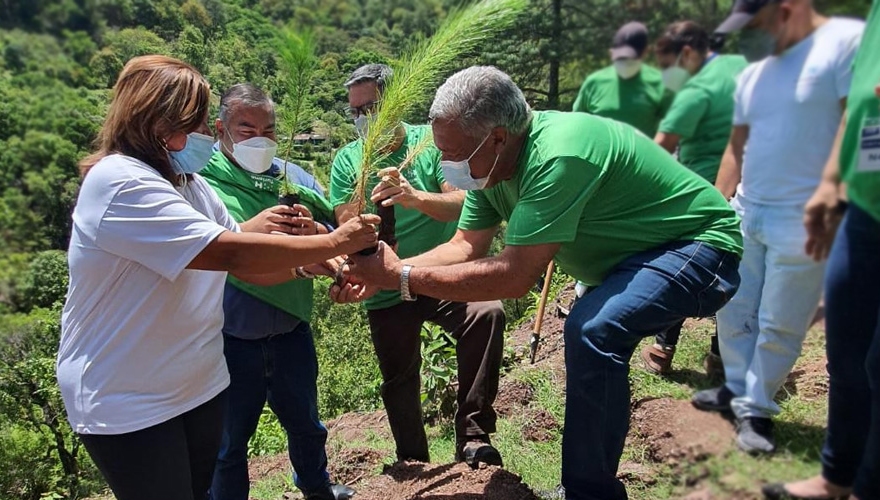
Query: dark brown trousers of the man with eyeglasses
(477,327)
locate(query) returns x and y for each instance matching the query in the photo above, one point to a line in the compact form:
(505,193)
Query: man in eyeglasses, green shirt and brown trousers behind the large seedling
(426,209)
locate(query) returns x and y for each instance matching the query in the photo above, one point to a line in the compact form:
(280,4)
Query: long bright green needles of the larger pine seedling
(419,72)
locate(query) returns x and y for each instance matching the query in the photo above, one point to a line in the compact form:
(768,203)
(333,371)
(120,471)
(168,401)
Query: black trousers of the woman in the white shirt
(173,460)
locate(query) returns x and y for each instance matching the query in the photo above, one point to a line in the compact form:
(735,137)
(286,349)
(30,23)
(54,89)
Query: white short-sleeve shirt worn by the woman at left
(140,333)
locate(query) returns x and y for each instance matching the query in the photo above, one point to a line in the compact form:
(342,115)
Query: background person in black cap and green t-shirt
(628,91)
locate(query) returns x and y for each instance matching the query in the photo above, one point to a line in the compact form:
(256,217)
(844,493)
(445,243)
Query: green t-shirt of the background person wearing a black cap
(640,101)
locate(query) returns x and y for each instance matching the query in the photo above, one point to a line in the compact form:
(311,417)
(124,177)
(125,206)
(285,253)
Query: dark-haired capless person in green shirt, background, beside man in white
(698,125)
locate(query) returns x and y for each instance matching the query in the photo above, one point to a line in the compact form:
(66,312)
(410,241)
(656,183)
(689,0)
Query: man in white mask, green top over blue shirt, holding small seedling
(268,343)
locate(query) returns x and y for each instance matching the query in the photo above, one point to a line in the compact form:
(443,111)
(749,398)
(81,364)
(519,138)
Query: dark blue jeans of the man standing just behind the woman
(283,370)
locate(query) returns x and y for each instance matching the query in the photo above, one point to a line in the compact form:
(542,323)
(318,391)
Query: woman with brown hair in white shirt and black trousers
(141,364)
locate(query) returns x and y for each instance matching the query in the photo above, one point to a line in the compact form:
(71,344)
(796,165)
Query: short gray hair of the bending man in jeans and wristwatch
(481,98)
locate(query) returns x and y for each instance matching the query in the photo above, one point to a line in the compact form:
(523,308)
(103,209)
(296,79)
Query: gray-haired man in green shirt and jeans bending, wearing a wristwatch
(612,208)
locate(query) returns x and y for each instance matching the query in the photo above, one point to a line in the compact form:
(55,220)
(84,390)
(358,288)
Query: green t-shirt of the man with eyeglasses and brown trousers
(416,232)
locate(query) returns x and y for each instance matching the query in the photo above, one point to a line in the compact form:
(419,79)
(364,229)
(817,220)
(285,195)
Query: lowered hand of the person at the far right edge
(822,215)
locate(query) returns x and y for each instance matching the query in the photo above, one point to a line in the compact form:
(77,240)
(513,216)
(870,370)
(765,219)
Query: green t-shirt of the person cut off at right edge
(860,151)
